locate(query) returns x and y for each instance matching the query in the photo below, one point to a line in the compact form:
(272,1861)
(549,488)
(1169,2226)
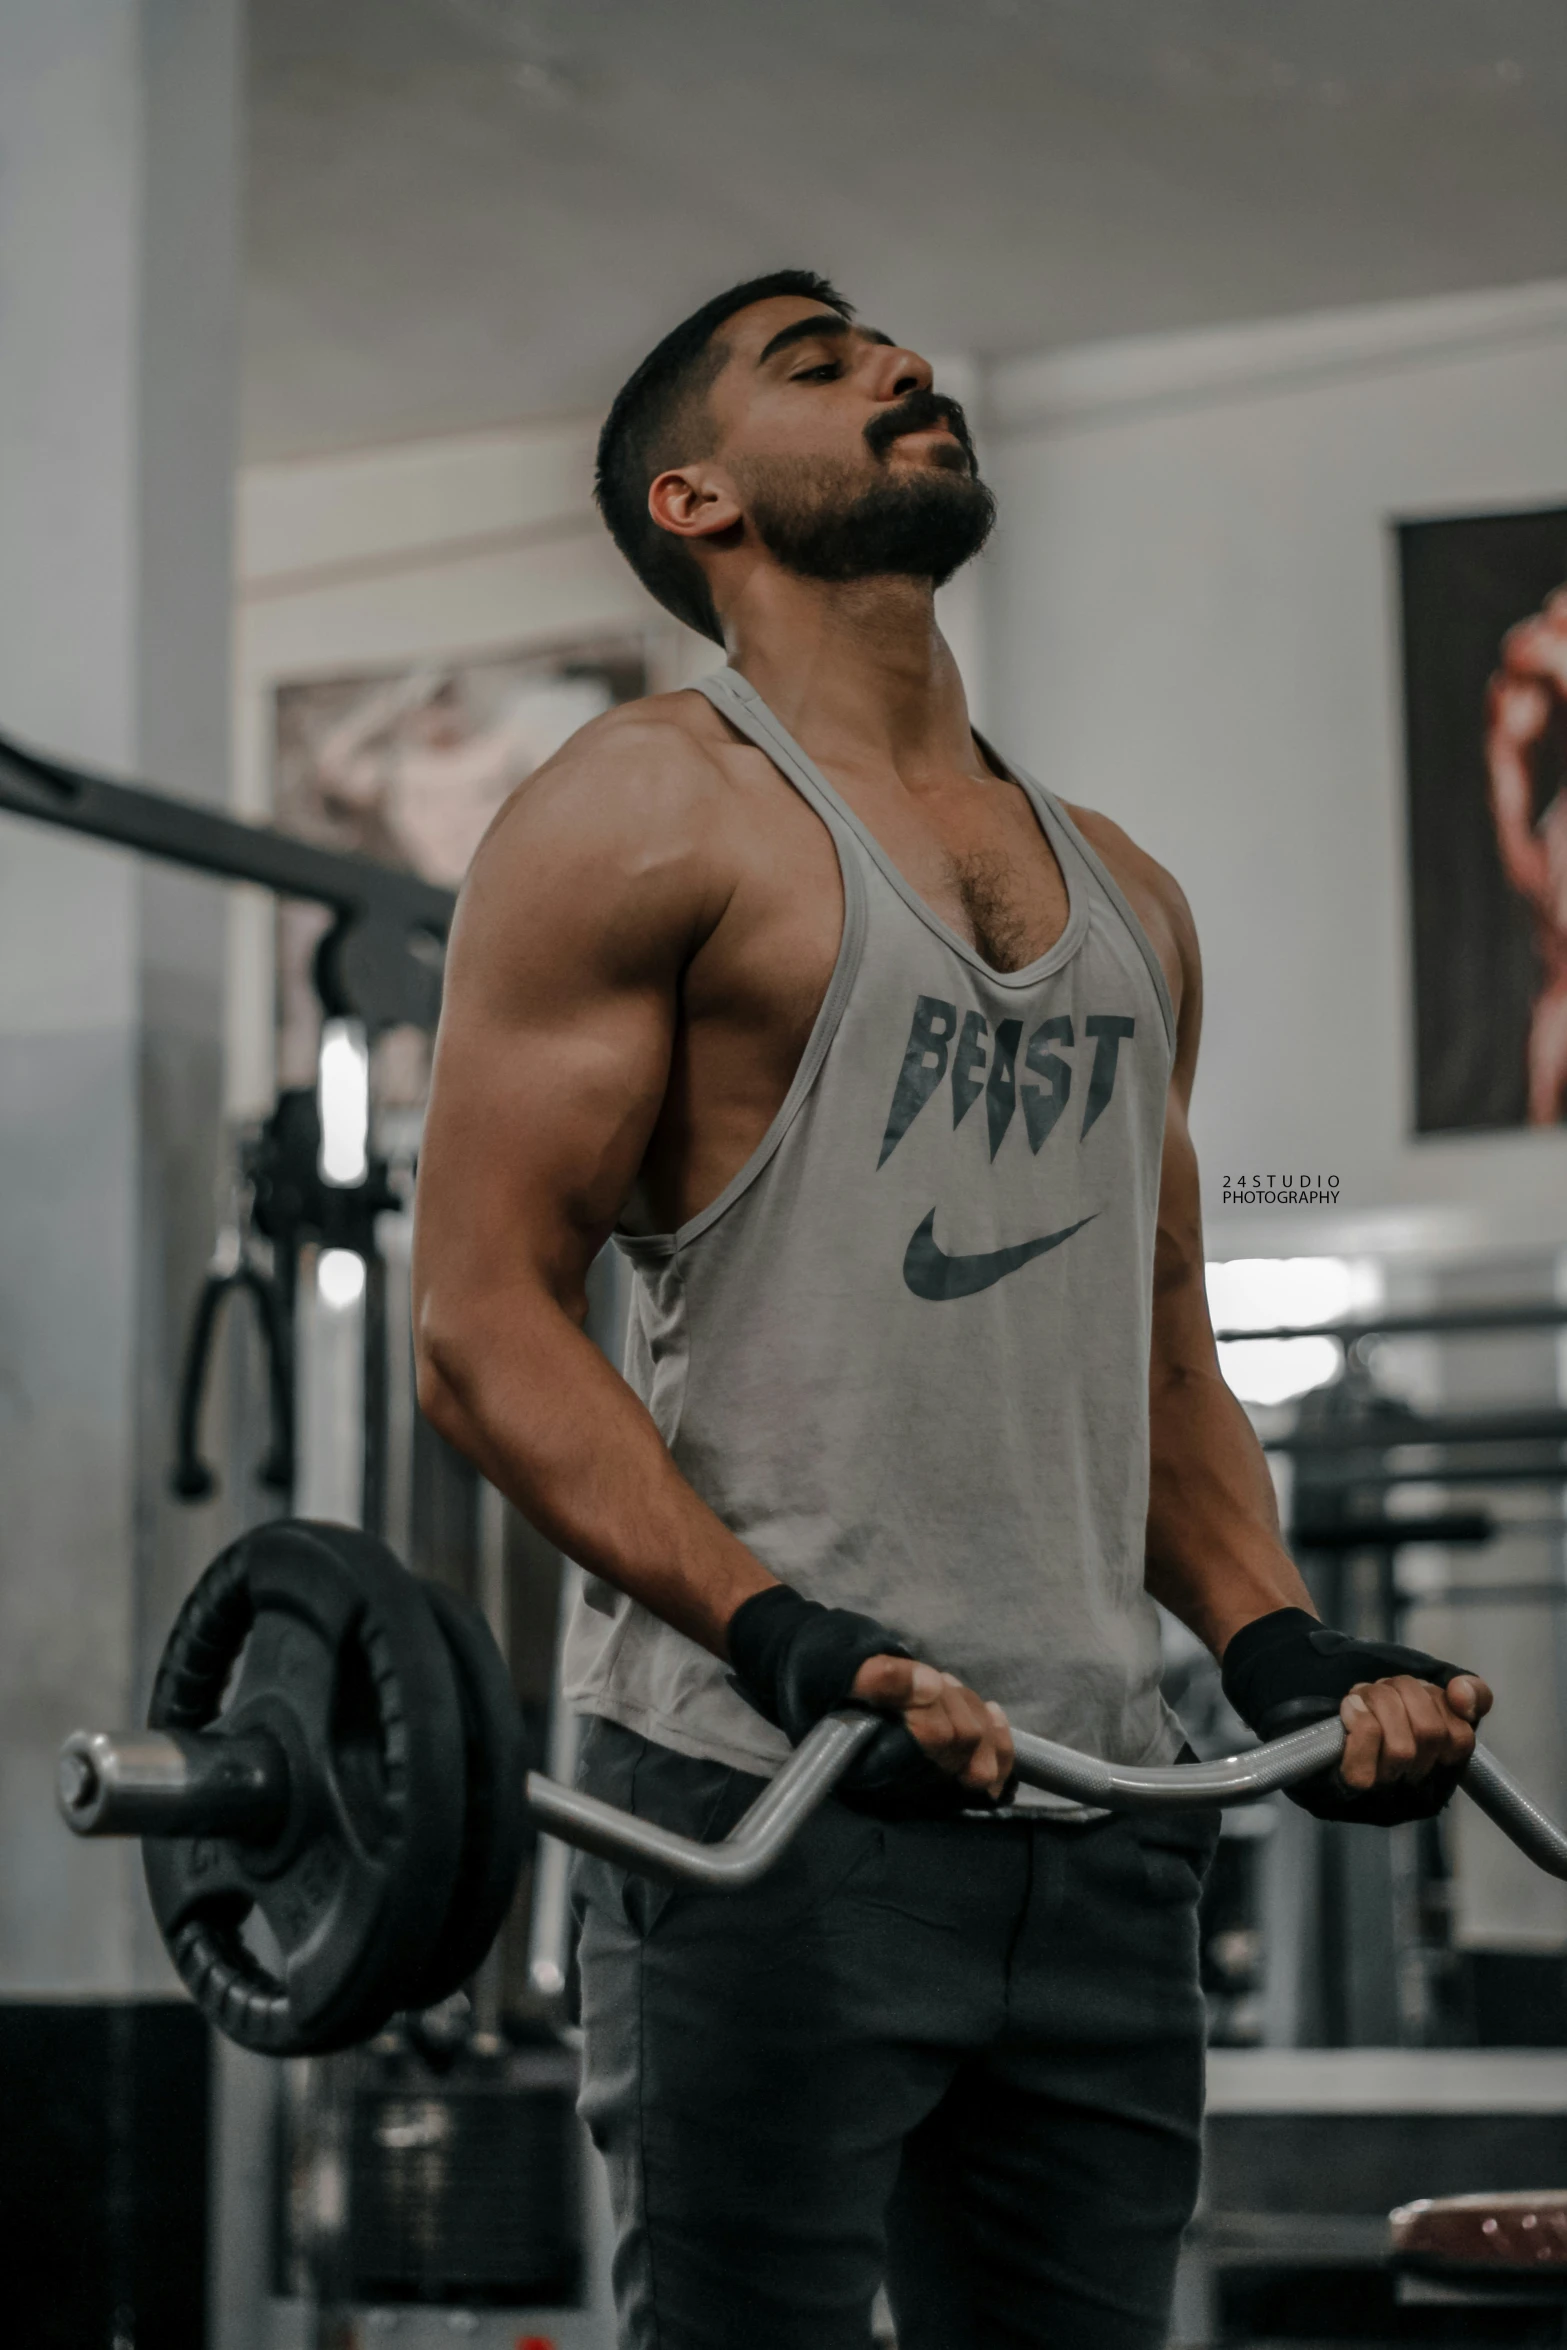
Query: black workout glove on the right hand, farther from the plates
(1286,1670)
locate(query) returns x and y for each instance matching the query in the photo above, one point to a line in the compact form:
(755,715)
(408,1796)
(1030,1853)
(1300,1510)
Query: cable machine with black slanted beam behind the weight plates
(316,1249)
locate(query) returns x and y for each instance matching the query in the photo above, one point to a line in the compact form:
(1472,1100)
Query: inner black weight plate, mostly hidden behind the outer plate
(497,1820)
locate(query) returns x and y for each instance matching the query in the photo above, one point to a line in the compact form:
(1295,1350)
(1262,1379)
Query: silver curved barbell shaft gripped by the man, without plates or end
(1117,1787)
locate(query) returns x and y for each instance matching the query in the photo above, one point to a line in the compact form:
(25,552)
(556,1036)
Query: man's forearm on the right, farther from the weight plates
(1216,1555)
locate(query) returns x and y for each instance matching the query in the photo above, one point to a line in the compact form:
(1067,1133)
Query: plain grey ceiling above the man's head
(466,213)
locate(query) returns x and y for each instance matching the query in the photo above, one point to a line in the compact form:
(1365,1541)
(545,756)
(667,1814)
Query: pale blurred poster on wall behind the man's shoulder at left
(410,767)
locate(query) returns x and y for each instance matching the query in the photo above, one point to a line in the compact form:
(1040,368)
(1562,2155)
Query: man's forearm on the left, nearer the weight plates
(539,1411)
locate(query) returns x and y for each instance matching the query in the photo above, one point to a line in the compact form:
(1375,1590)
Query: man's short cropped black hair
(657,422)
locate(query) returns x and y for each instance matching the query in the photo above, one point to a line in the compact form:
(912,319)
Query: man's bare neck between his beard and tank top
(859,671)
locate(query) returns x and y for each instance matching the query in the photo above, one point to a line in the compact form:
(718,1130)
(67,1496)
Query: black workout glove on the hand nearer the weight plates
(798,1660)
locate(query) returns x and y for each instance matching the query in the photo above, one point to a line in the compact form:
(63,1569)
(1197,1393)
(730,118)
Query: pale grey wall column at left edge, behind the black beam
(119,149)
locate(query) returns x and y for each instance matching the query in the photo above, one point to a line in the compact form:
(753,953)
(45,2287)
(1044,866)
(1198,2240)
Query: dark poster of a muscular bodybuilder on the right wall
(1486,751)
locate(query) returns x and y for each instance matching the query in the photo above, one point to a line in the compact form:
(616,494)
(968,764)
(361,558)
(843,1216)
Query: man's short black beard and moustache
(917,525)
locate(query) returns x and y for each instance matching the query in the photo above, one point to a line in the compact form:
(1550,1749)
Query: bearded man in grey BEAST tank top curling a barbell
(877,1063)
